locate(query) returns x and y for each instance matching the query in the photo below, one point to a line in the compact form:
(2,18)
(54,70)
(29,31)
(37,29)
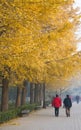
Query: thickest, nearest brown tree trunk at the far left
(4,100)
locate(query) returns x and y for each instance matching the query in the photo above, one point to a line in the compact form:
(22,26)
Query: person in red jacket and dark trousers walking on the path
(56,103)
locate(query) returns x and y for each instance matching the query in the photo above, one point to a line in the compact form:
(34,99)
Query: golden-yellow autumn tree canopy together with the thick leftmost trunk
(35,38)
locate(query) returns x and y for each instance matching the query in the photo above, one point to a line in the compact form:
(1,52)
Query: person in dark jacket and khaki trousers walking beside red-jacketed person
(67,104)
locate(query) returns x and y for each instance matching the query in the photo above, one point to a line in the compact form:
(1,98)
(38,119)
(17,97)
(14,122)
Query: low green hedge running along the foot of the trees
(10,114)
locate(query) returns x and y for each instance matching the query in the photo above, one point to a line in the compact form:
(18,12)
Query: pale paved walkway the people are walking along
(45,120)
